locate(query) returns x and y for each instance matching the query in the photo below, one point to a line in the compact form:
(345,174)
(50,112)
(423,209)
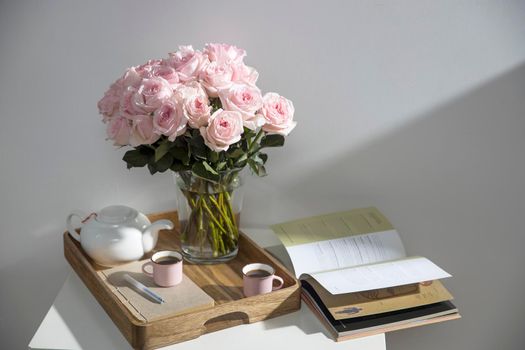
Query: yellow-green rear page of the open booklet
(331,226)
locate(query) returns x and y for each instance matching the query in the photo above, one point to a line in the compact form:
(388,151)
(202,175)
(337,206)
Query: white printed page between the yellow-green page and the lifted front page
(346,252)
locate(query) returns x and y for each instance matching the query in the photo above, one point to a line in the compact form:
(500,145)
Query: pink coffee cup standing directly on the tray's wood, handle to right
(258,279)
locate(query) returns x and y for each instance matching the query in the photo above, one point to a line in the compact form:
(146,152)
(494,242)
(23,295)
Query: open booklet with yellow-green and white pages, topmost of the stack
(353,251)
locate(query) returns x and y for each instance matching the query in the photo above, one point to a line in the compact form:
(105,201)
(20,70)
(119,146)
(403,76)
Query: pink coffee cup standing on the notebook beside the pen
(167,268)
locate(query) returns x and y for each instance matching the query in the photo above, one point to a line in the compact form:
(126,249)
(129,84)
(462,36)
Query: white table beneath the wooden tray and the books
(77,321)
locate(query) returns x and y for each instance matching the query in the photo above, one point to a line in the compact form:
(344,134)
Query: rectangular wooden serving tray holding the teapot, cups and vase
(223,282)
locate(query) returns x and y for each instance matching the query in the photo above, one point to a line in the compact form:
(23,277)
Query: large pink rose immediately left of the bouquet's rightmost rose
(246,100)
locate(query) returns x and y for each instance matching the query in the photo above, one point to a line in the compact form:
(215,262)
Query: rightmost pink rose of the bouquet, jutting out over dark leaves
(278,114)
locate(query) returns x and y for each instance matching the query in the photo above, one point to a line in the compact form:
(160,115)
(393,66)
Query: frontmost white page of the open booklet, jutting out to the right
(380,275)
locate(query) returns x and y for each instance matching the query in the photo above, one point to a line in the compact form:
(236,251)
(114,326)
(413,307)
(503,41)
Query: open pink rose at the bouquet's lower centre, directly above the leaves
(223,130)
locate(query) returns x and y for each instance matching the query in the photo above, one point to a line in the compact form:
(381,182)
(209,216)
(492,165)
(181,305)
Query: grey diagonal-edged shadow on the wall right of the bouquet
(453,183)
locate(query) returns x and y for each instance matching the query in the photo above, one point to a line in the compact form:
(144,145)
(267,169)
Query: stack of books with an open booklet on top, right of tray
(357,278)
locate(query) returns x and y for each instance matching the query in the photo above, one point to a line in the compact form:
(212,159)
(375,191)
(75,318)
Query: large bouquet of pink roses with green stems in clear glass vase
(199,114)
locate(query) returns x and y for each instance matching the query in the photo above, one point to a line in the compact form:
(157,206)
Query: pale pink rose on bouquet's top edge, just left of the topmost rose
(187,62)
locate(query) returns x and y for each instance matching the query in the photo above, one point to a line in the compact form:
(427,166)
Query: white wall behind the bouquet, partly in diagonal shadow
(416,107)
